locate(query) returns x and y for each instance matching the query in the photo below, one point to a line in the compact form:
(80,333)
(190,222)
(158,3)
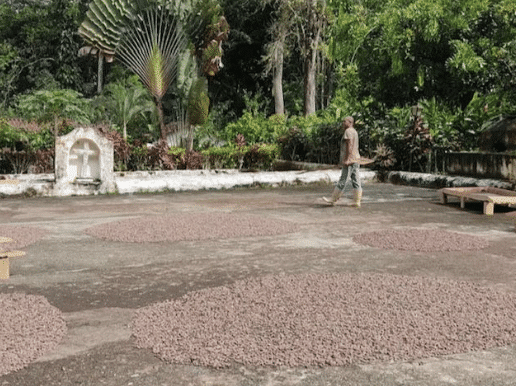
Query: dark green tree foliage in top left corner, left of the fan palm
(38,48)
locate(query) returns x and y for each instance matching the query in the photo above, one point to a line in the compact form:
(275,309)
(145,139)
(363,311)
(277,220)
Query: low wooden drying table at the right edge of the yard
(488,195)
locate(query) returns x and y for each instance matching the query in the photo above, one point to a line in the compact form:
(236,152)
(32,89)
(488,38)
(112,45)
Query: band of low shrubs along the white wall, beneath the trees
(385,133)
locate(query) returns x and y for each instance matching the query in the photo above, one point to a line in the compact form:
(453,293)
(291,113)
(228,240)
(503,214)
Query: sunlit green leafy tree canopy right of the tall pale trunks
(419,49)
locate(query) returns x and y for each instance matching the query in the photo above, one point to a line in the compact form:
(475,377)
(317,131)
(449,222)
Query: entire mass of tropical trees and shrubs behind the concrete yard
(373,60)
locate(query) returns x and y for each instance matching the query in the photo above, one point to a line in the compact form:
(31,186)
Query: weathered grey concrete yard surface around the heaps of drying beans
(98,284)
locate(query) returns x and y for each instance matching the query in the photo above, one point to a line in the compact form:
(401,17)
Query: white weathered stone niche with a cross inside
(84,163)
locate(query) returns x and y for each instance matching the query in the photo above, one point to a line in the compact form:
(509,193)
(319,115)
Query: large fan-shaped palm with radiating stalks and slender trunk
(145,37)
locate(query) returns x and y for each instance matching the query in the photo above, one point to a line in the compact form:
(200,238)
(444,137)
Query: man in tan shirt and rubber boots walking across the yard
(350,158)
